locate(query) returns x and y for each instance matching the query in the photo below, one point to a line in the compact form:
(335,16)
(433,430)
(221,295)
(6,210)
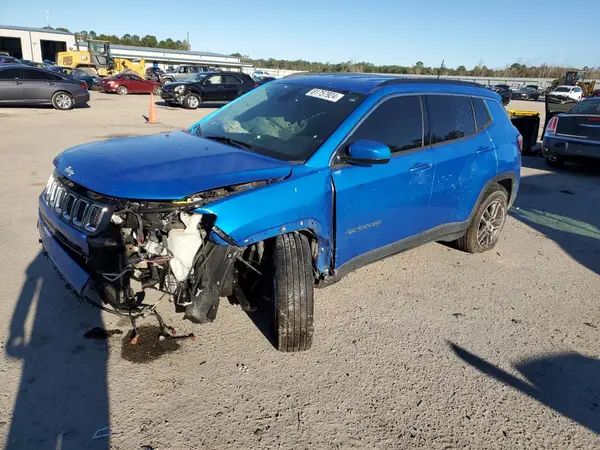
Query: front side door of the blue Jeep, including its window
(379,205)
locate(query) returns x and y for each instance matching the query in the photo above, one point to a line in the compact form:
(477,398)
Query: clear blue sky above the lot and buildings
(460,32)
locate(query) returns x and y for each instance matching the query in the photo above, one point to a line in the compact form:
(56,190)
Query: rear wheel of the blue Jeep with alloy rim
(492,210)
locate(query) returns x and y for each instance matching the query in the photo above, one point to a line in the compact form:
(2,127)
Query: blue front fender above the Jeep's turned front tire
(304,201)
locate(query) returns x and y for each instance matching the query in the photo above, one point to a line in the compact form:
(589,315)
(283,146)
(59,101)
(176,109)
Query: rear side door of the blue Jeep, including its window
(464,154)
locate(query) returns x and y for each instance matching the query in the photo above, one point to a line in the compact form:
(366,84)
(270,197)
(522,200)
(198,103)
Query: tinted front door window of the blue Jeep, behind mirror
(397,122)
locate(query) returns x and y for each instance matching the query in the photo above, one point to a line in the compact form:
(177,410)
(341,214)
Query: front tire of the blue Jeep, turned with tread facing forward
(293,293)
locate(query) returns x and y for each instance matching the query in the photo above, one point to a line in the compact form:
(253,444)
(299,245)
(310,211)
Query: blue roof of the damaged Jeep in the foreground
(365,83)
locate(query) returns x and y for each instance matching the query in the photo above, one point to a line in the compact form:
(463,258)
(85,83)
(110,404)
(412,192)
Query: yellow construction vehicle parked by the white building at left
(96,59)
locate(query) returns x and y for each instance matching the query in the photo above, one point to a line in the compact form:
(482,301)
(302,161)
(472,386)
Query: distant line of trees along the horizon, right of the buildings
(515,70)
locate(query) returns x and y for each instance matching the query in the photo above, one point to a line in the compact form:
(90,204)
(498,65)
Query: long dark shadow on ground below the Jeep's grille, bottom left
(62,398)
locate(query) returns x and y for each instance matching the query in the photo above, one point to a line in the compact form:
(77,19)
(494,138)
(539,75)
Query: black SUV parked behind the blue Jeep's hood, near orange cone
(207,87)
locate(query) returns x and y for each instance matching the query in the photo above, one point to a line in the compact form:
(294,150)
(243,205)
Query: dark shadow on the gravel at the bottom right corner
(569,383)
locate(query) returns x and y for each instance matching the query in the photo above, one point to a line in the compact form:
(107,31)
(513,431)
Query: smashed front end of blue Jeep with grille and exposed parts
(133,246)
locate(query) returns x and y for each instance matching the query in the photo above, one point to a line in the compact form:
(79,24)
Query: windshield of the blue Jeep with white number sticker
(283,120)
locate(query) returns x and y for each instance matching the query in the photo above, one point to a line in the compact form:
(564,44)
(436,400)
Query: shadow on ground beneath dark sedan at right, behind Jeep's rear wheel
(563,205)
